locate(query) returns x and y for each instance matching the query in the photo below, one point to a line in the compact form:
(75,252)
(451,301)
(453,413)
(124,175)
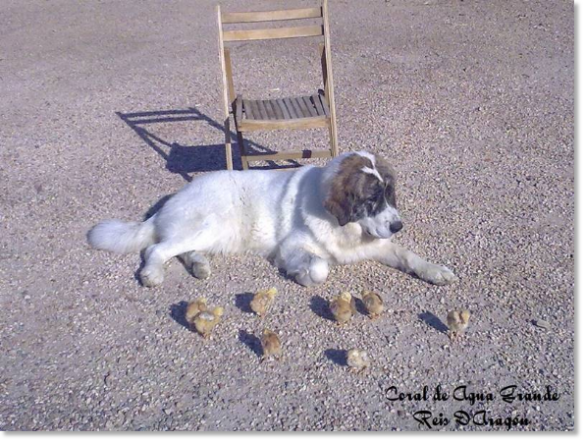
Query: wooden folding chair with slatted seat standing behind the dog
(316,110)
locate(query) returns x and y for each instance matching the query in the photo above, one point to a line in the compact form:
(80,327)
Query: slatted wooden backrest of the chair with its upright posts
(317,30)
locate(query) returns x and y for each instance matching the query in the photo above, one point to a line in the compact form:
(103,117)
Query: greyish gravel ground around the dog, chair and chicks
(472,101)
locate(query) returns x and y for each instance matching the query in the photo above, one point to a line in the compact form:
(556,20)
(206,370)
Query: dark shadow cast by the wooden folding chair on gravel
(187,159)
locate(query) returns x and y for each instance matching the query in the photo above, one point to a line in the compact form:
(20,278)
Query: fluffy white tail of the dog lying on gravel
(122,237)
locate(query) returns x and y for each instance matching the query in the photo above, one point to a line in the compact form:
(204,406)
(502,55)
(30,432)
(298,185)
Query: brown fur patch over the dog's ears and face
(355,193)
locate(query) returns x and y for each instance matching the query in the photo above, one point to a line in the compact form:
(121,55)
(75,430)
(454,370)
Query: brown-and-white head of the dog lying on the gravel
(359,188)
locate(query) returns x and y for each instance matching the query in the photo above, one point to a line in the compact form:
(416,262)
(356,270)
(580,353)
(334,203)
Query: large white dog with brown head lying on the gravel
(304,220)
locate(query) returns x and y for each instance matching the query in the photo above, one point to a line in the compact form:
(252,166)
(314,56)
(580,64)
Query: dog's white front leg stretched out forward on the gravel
(402,259)
